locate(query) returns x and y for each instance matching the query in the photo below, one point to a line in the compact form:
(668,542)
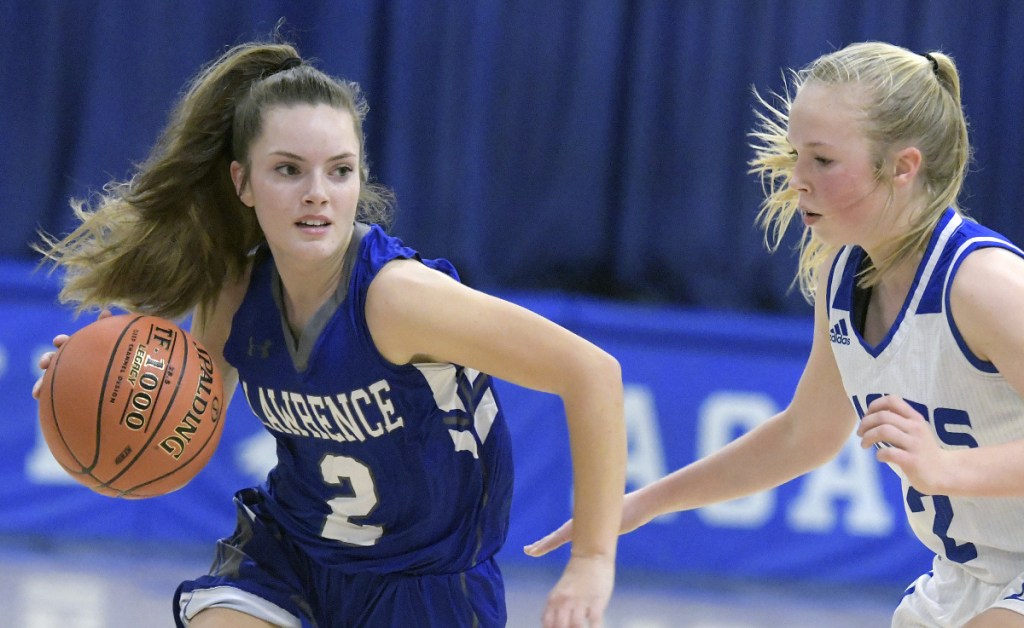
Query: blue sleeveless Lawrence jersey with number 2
(381,468)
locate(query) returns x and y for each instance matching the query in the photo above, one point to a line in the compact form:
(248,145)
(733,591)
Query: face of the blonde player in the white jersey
(840,196)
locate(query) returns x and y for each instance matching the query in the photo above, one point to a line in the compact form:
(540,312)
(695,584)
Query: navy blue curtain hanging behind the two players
(587,147)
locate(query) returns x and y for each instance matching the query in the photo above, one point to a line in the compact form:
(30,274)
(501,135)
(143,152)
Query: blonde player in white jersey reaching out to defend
(918,338)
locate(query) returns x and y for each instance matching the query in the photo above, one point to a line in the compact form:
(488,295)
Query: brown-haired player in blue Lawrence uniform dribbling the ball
(371,366)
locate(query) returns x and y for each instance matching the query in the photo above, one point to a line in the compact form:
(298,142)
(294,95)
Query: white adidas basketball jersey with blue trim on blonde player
(967,402)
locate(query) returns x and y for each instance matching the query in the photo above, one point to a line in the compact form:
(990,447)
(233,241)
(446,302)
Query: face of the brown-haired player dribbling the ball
(304,182)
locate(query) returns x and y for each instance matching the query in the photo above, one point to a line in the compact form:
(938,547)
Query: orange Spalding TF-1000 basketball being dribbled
(132,406)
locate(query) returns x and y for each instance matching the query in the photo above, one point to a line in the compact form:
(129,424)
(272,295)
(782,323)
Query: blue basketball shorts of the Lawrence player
(259,572)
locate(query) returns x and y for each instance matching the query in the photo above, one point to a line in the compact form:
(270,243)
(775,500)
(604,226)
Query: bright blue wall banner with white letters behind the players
(695,382)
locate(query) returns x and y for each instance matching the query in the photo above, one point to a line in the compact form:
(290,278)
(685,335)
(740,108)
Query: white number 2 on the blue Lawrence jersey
(339,471)
